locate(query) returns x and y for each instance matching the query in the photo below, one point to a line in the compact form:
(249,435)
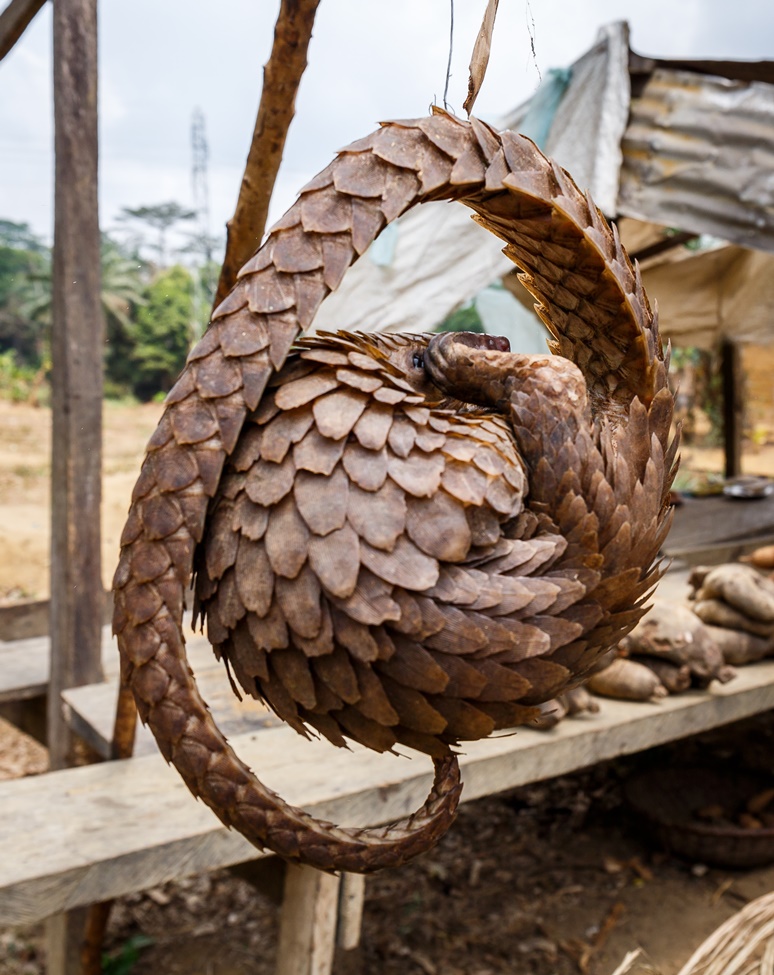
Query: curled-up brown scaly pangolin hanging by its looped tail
(400,540)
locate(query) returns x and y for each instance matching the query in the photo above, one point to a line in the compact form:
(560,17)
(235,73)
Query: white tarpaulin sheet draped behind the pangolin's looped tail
(441,259)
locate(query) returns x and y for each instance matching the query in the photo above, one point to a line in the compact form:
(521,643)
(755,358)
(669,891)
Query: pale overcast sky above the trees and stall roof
(368,60)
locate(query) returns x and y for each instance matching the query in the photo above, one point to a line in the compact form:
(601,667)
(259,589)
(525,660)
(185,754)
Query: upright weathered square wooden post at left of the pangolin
(76,345)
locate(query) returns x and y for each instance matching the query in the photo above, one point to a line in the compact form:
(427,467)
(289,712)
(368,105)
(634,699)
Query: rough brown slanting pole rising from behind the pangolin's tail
(281,77)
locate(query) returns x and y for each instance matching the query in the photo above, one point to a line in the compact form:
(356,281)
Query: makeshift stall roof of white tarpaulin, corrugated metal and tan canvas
(697,153)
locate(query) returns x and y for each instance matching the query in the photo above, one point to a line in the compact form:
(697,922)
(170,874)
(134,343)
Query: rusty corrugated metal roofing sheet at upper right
(698,154)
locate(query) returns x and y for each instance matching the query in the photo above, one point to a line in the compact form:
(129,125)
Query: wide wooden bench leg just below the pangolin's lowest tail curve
(307,935)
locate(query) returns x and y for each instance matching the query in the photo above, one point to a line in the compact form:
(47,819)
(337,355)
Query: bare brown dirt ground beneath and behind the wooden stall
(553,879)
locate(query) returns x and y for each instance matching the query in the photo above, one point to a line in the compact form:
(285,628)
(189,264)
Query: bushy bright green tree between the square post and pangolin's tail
(162,332)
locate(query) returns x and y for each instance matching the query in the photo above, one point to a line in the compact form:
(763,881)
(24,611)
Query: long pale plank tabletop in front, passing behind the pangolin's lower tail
(82,835)
